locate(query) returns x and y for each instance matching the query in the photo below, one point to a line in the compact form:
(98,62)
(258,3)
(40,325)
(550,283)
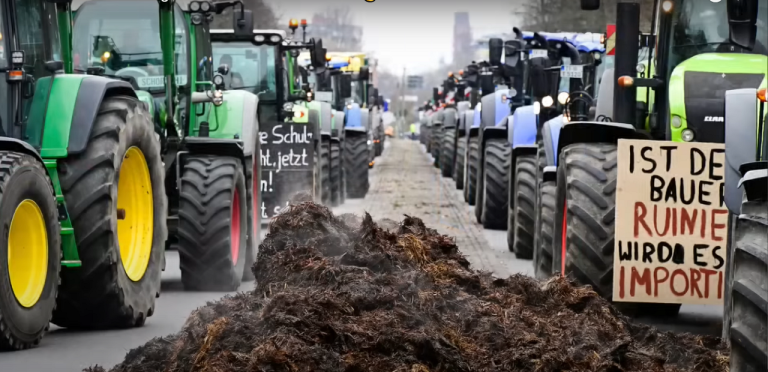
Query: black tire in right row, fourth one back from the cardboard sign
(495,193)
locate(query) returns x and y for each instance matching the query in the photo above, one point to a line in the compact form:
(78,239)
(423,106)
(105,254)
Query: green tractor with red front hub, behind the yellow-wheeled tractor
(208,136)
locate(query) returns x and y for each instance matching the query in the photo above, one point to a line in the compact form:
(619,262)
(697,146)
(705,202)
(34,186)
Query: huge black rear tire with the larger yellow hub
(115,194)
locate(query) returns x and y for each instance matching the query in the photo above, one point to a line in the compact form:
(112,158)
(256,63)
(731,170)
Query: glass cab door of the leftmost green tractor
(35,32)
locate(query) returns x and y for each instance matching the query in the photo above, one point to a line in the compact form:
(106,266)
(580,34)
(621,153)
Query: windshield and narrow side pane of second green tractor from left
(124,39)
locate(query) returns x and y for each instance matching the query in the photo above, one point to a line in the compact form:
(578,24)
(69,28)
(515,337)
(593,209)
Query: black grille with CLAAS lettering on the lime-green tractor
(705,101)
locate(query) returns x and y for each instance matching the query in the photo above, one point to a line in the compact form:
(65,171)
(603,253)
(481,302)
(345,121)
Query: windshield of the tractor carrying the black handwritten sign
(251,67)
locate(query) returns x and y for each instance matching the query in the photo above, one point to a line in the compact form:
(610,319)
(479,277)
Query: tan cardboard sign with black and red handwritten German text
(671,223)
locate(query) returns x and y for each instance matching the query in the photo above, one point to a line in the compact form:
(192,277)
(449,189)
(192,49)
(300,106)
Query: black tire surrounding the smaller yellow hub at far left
(29,182)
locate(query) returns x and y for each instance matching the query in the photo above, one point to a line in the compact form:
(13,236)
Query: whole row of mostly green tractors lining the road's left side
(130,127)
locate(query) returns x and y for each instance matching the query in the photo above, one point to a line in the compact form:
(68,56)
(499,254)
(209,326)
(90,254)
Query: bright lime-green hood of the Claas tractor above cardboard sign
(697,89)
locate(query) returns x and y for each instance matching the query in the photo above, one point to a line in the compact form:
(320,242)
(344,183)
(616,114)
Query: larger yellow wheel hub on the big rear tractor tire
(135,221)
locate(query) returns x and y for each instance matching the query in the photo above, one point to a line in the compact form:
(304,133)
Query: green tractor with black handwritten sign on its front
(264,63)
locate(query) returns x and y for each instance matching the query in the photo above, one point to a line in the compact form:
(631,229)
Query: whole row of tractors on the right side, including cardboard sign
(534,138)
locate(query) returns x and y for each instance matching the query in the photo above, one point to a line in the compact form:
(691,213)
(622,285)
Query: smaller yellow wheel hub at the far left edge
(27,253)
